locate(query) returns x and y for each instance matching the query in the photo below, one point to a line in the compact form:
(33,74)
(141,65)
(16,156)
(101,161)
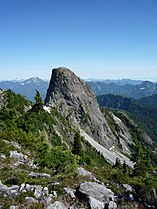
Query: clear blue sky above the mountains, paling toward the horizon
(105,39)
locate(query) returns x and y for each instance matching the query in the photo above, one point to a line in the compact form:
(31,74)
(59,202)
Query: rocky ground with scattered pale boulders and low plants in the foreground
(86,191)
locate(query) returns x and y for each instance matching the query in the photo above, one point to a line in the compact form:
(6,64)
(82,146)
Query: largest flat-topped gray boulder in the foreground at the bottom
(97,191)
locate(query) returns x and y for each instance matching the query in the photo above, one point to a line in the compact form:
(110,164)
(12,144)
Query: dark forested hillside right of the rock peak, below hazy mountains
(143,111)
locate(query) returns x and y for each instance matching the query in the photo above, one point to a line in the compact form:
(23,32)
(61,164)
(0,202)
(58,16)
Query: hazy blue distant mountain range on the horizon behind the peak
(125,87)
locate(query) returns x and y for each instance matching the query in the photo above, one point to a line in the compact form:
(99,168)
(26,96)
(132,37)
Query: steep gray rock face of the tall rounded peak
(75,100)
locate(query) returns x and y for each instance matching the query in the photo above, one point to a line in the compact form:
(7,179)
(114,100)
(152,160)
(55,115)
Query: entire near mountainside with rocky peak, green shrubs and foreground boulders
(52,160)
